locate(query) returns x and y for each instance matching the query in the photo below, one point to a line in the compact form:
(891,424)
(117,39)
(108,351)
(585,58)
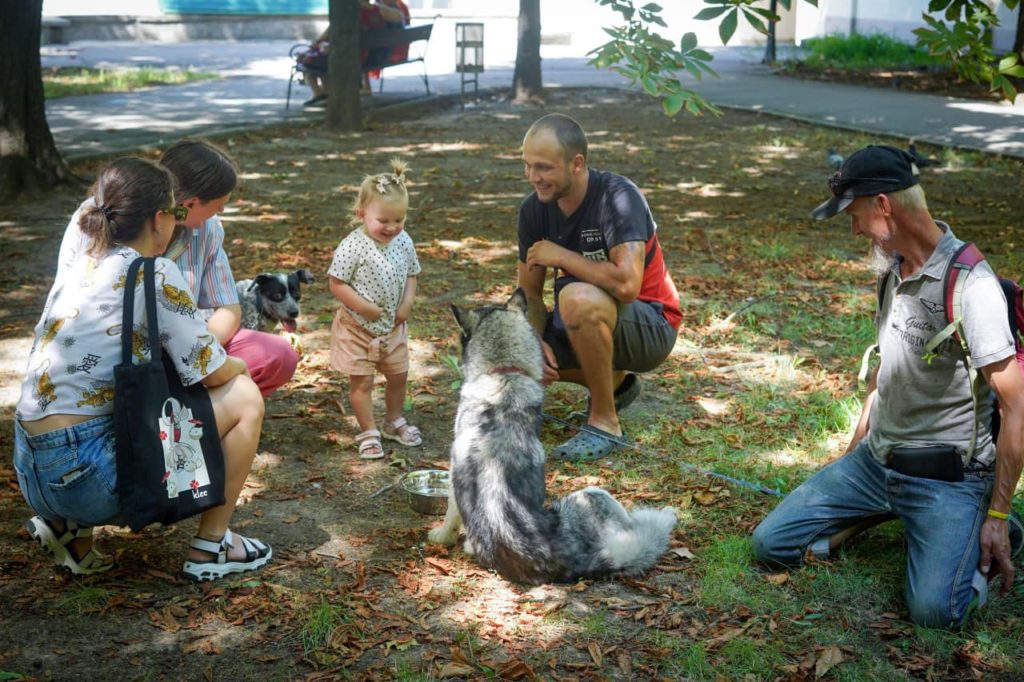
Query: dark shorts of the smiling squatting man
(642,340)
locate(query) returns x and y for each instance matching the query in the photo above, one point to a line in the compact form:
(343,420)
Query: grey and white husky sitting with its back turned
(498,479)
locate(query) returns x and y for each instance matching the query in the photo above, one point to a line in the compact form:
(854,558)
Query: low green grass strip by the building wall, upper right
(861,52)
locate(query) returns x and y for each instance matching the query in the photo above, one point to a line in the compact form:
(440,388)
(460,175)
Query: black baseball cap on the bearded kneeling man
(877,169)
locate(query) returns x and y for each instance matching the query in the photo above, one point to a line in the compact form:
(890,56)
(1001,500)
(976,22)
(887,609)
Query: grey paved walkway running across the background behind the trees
(253,94)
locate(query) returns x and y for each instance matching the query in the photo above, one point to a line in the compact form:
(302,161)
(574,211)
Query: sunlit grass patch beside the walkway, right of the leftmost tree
(71,81)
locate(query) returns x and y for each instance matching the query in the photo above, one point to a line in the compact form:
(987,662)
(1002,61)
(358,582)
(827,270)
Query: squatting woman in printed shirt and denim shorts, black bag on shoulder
(64,433)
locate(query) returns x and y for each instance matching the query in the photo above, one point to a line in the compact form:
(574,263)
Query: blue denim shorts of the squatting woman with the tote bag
(70,474)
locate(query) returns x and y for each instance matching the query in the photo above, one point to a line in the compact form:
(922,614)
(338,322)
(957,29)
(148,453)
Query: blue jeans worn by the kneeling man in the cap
(943,523)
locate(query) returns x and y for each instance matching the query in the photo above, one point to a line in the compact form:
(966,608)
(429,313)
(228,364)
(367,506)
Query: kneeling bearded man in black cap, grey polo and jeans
(922,452)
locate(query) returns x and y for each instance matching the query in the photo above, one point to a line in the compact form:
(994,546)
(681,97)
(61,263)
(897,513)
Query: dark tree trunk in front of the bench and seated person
(345,111)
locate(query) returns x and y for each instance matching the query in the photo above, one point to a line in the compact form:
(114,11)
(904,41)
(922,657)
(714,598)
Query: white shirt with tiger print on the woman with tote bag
(78,338)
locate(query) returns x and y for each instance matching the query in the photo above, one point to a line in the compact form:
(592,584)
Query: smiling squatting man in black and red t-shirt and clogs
(617,310)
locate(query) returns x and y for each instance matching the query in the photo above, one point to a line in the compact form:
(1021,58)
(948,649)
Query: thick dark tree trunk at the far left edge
(29,159)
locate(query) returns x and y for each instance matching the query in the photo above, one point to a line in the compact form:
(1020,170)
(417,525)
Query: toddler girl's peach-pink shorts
(356,351)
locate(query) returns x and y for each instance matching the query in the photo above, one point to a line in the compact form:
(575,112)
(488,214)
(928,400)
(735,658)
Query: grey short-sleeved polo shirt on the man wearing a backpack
(923,403)
